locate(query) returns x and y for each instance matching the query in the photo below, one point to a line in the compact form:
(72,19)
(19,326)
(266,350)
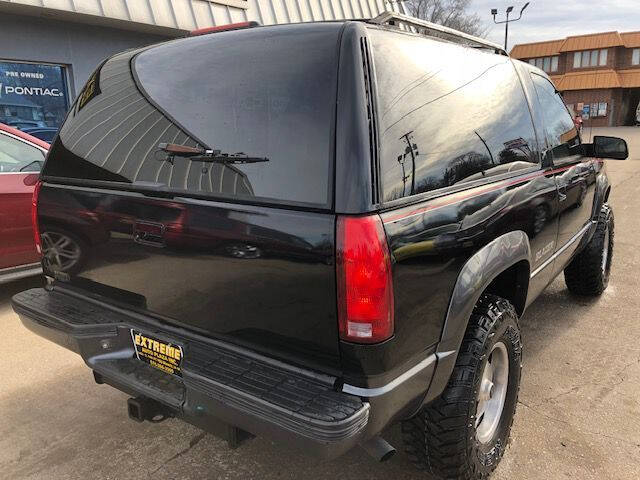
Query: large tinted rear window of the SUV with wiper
(264,96)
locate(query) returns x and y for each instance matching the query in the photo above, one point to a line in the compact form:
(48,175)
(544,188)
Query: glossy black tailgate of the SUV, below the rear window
(258,276)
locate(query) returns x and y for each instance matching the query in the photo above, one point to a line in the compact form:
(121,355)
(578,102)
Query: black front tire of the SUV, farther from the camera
(585,274)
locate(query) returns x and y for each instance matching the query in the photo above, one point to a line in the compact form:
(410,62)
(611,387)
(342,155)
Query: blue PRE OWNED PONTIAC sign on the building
(32,95)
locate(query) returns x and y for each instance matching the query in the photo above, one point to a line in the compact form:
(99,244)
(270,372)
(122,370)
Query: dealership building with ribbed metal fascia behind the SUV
(49,48)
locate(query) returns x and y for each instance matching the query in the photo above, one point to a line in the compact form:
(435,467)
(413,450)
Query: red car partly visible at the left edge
(21,158)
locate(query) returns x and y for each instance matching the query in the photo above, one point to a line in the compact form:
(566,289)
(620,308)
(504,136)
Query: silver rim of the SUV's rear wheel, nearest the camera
(492,392)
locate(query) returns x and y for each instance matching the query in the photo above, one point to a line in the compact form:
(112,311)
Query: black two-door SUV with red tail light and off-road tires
(313,231)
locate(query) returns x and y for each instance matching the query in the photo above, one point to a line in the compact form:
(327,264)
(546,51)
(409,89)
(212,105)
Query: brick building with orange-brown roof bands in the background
(598,73)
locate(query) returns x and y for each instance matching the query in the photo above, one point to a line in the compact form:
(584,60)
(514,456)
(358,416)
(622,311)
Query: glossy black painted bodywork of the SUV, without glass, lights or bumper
(497,233)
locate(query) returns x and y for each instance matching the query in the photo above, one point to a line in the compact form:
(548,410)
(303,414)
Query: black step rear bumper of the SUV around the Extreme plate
(220,382)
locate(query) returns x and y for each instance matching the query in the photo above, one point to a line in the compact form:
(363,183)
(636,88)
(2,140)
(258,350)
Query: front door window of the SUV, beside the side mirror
(561,133)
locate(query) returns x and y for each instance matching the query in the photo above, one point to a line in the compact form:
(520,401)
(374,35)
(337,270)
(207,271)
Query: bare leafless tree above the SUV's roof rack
(450,13)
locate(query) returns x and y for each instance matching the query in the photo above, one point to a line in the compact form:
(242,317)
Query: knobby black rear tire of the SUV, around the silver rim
(441,438)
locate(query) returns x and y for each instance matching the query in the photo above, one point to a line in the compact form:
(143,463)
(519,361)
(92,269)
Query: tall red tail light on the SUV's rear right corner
(365,288)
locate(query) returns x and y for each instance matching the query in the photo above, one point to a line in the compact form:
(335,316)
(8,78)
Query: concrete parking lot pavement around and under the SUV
(578,414)
